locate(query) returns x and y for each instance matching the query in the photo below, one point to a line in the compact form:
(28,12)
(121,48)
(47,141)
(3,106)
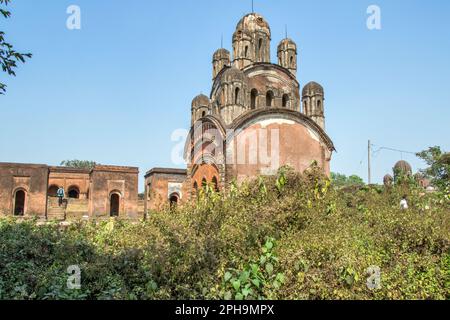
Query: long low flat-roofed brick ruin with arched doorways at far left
(29,190)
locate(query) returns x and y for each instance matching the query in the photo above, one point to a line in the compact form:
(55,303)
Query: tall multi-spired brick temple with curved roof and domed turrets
(255,119)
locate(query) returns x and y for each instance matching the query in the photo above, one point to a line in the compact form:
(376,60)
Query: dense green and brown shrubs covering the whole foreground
(287,237)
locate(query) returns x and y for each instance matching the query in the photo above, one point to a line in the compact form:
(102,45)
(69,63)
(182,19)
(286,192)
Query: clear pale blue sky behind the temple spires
(115,90)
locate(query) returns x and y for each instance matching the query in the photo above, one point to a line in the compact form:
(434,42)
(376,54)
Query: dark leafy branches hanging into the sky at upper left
(8,56)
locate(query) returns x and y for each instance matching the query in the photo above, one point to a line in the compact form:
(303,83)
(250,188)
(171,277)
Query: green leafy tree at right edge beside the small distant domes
(438,166)
